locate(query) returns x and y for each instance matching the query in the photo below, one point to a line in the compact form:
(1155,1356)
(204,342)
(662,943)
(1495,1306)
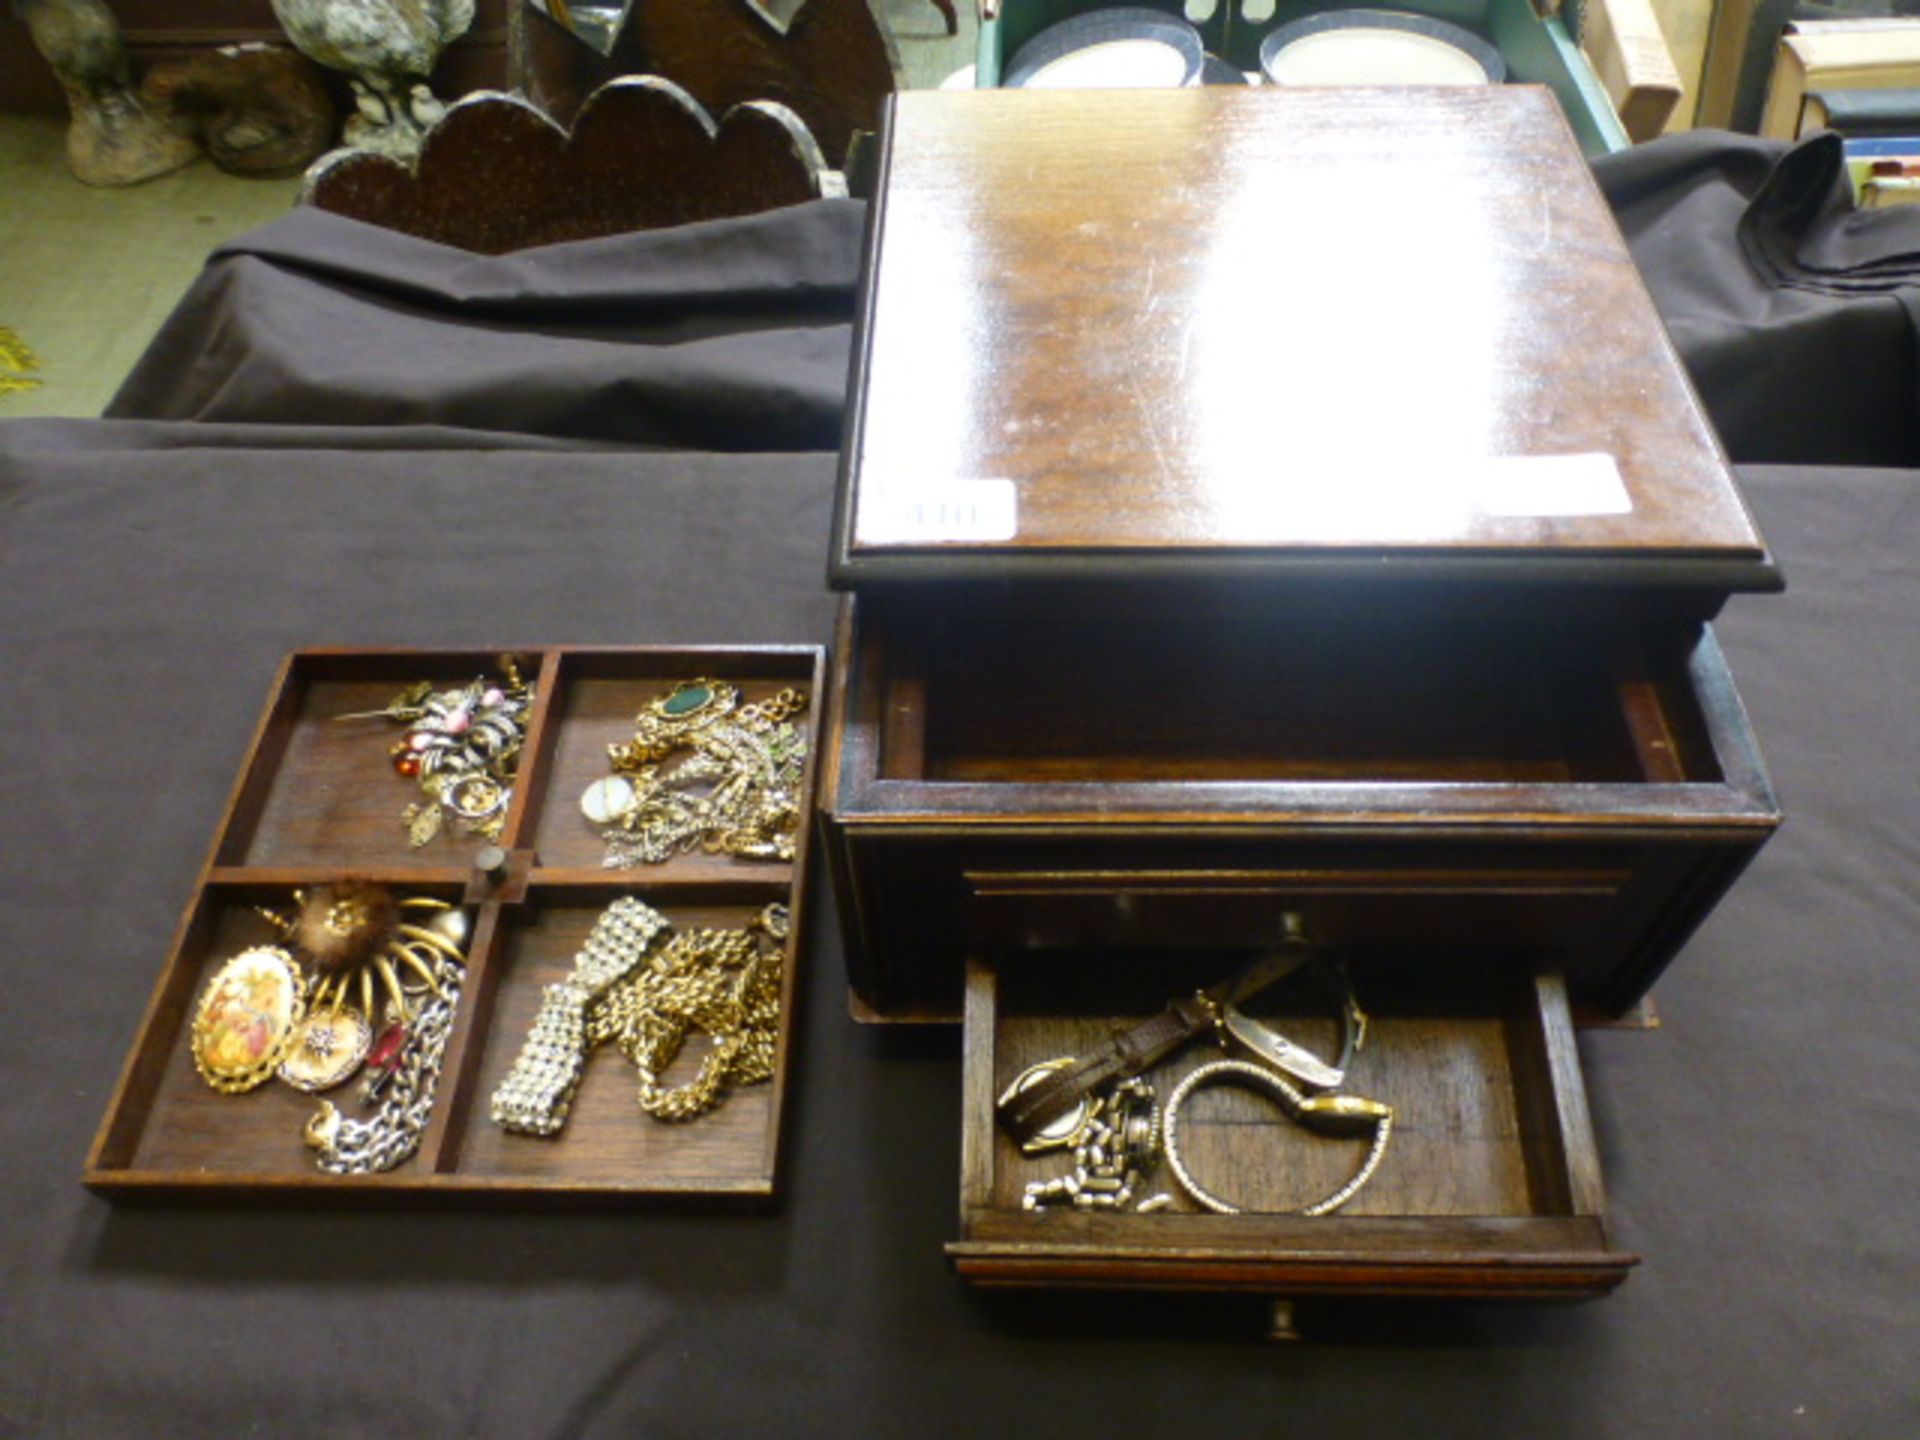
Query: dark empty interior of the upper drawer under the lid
(1408,700)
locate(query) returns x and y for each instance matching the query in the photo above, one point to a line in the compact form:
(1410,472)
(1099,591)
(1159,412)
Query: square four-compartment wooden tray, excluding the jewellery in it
(318,804)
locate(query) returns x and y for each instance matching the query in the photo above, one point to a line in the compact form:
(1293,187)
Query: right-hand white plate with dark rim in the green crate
(1378,47)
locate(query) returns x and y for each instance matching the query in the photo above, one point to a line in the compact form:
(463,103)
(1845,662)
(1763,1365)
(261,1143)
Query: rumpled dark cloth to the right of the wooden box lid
(1796,316)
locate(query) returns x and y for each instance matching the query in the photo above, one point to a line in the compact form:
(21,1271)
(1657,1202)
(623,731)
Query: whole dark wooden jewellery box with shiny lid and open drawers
(1280,514)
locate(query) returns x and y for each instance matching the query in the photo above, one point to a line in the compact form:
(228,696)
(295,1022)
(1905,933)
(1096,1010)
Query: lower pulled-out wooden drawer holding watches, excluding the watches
(1489,1186)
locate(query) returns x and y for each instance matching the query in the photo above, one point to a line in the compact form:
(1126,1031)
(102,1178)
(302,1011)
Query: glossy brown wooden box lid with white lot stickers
(1120,335)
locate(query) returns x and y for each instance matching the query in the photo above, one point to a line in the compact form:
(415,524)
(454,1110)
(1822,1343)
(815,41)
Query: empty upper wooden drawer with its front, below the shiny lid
(1053,773)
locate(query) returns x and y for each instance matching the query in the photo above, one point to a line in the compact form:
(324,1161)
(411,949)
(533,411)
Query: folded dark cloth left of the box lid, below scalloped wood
(725,337)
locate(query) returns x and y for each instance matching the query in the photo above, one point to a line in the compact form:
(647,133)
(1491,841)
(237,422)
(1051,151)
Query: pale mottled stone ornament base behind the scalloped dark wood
(389,51)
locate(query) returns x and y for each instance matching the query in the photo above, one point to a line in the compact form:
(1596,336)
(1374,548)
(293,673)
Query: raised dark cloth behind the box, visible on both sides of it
(1794,314)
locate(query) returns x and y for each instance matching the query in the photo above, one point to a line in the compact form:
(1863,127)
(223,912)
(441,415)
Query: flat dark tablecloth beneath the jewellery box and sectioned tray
(1760,1147)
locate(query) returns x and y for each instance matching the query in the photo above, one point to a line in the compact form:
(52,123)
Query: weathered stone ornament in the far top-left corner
(118,135)
